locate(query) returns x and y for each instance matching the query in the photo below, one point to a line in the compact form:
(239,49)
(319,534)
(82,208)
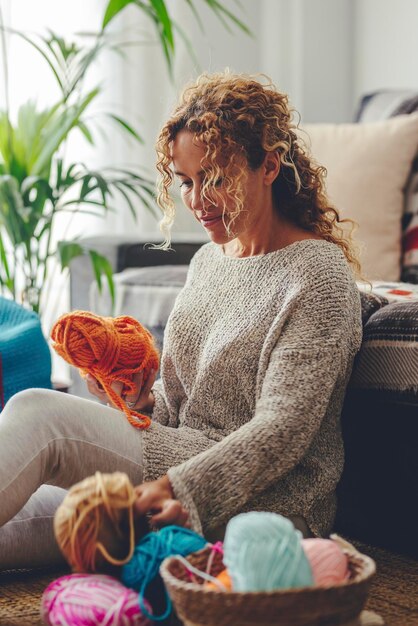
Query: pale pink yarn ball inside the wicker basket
(328,562)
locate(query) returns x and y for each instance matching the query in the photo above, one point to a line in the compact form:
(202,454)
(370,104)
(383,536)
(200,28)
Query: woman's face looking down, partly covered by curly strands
(188,154)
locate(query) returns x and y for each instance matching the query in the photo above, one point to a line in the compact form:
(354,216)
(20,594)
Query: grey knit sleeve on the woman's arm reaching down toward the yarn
(312,350)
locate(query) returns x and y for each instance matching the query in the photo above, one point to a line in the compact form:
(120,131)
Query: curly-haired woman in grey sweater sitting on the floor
(257,352)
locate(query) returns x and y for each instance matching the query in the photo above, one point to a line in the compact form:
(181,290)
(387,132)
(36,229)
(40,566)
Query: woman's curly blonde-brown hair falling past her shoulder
(236,116)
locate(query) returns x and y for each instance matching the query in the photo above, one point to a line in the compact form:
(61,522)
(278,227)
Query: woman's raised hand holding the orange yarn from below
(142,400)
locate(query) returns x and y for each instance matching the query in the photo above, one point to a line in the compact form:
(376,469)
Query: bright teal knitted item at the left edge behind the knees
(25,358)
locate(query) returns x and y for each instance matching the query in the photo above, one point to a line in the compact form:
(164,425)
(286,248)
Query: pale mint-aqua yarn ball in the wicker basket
(263,552)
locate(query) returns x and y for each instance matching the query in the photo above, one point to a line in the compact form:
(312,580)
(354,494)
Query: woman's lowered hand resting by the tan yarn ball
(157,498)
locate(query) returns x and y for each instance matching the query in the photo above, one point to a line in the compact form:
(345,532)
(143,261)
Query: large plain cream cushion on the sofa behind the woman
(368,166)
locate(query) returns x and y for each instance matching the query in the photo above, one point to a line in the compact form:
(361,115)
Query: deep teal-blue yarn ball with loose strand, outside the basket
(150,552)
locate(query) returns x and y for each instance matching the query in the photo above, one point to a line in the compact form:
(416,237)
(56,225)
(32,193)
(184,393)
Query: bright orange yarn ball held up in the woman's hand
(110,349)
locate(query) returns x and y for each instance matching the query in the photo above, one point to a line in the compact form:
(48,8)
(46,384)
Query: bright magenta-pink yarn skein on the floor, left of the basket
(91,599)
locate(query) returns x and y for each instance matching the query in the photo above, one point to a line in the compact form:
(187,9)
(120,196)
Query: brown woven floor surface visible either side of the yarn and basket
(394,592)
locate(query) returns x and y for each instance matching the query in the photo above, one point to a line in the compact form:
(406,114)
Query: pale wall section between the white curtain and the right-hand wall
(306,48)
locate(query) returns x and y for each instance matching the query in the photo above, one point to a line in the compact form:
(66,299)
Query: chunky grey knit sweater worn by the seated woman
(256,359)
